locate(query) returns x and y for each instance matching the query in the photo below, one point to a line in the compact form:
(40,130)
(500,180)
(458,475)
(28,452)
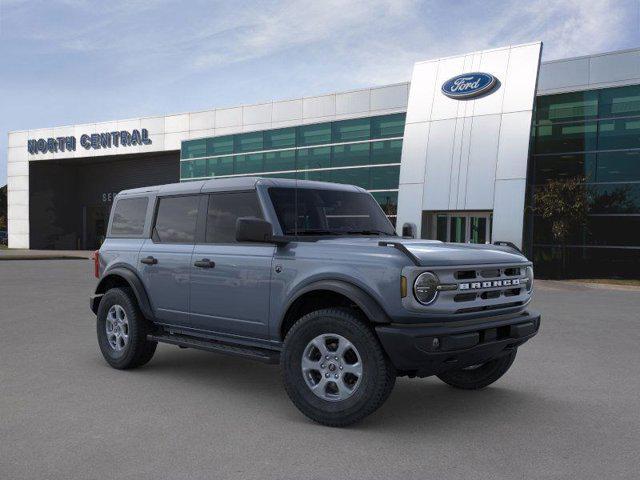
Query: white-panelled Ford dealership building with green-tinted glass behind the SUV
(459,153)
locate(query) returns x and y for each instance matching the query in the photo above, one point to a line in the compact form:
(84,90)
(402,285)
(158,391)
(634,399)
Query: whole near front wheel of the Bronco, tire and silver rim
(334,368)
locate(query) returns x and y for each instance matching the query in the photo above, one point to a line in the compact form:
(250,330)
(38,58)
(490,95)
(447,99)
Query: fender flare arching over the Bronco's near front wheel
(369,306)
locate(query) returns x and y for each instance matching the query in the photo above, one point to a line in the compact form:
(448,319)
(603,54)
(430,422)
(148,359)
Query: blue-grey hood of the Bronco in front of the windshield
(436,253)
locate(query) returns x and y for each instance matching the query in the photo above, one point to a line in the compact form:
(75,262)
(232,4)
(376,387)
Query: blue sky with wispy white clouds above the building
(73,61)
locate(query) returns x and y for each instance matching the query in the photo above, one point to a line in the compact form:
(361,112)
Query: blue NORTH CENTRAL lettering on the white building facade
(93,141)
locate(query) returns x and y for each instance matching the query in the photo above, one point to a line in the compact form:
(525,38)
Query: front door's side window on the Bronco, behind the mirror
(224,210)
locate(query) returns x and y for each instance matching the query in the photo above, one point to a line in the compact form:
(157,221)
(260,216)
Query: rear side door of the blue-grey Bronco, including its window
(165,258)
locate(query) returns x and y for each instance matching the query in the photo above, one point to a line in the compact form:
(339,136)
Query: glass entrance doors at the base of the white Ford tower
(460,227)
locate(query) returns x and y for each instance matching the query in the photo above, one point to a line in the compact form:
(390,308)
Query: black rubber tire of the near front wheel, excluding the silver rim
(377,380)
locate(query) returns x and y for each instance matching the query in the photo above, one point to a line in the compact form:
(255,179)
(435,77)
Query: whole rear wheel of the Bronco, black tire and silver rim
(122,330)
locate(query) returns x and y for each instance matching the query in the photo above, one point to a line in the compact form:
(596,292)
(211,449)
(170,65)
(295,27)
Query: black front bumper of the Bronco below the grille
(425,350)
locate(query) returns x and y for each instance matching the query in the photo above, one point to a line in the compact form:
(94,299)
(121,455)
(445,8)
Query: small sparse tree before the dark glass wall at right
(565,204)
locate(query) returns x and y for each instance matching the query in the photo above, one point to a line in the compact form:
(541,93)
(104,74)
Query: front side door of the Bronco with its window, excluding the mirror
(230,281)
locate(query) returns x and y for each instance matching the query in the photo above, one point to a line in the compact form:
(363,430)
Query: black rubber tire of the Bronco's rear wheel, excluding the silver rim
(138,350)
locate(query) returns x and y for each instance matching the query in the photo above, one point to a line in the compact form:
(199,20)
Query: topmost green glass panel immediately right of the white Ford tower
(566,107)
